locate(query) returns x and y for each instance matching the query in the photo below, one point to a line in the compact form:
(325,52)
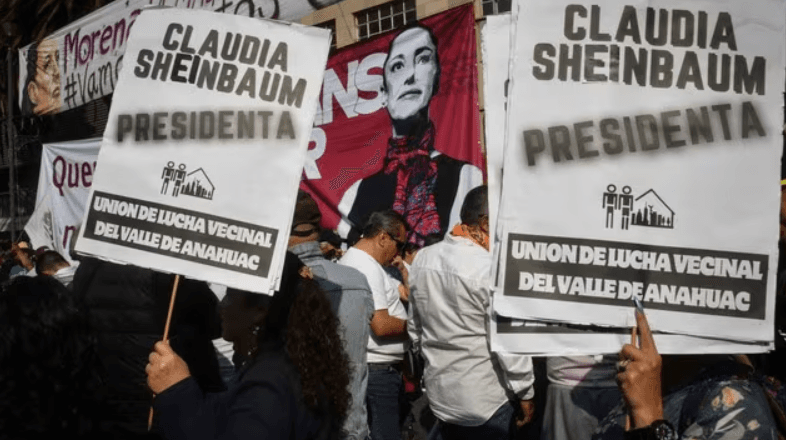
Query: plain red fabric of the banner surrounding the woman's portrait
(356,146)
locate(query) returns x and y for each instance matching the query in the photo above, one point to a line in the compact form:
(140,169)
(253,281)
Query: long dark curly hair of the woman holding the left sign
(300,315)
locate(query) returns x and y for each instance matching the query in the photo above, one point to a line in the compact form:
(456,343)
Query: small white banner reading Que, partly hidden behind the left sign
(64,182)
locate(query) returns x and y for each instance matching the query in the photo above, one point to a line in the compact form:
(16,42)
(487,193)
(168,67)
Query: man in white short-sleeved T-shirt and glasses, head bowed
(383,237)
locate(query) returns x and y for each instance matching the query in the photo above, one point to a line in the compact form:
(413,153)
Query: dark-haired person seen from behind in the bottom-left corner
(49,375)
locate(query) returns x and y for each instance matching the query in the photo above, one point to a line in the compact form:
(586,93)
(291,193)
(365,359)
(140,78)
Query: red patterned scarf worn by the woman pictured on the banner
(416,179)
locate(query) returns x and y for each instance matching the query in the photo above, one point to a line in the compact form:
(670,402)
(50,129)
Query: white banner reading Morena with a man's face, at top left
(81,62)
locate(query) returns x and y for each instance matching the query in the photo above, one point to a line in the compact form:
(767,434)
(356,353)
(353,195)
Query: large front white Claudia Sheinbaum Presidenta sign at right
(642,160)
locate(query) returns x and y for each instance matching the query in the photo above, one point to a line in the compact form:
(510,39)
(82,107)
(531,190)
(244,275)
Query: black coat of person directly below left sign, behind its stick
(127,306)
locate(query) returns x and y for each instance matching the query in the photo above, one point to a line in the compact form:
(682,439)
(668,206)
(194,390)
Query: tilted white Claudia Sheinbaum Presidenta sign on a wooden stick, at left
(205,144)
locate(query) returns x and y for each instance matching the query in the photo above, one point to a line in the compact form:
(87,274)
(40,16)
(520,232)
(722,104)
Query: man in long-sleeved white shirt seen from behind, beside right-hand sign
(473,393)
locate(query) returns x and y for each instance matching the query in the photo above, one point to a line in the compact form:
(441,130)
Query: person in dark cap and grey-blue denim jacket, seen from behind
(351,301)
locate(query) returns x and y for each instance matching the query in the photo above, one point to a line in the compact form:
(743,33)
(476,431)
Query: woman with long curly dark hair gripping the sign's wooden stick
(293,372)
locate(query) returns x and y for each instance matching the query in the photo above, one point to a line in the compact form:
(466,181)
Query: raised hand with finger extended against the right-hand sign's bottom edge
(640,379)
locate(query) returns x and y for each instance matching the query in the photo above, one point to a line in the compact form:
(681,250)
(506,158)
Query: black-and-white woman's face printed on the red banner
(410,72)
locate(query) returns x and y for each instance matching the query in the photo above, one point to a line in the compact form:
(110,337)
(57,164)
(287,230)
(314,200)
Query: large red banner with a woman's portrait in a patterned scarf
(358,109)
